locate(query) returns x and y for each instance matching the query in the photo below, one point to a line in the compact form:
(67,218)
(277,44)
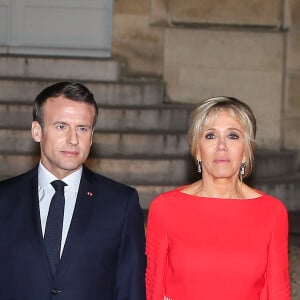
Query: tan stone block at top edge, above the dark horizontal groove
(244,13)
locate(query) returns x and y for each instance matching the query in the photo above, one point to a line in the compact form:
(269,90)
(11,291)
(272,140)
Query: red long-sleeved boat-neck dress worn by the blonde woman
(217,249)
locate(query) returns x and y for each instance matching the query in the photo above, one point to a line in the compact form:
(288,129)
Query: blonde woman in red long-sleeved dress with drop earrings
(218,238)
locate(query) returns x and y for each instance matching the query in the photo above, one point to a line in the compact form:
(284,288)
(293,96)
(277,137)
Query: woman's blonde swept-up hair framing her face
(207,112)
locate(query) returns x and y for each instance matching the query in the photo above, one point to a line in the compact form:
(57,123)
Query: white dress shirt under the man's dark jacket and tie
(46,192)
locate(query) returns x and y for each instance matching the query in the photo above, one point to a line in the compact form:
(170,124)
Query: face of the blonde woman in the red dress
(222,147)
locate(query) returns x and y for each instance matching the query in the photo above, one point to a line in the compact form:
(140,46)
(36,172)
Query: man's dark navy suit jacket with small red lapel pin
(103,256)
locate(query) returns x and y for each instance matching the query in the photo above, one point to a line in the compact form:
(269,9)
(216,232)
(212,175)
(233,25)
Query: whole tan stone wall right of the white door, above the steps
(201,48)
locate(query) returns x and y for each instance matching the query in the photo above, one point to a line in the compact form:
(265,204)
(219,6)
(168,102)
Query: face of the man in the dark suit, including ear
(66,136)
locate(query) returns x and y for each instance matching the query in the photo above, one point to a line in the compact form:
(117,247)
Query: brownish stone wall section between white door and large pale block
(135,40)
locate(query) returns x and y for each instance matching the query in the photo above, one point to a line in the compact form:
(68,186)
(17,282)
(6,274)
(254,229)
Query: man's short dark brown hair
(70,90)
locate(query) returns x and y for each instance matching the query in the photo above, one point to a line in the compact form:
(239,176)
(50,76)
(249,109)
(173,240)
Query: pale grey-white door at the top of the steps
(56,27)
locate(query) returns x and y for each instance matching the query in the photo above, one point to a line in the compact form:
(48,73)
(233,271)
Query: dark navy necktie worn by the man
(54,224)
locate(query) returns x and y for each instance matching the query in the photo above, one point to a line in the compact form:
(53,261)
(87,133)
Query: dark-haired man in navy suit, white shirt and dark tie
(83,240)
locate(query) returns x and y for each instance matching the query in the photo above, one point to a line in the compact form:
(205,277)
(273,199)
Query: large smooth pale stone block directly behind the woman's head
(243,64)
